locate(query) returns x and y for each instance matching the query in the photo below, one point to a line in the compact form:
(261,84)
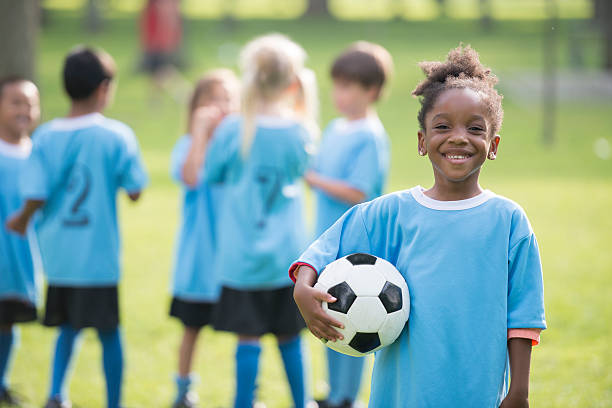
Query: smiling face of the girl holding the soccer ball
(457,138)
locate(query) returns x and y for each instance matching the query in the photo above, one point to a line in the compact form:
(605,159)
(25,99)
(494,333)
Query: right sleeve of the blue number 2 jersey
(131,171)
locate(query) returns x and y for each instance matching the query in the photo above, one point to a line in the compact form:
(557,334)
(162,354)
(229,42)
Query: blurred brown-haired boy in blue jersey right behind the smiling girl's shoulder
(351,167)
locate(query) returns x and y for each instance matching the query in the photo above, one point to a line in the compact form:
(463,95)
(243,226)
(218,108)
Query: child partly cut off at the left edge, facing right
(19,114)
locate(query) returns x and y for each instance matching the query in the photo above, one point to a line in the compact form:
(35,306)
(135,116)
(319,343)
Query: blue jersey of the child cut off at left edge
(17,278)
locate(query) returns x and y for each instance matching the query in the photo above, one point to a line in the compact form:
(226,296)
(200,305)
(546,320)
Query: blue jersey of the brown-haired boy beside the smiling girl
(357,153)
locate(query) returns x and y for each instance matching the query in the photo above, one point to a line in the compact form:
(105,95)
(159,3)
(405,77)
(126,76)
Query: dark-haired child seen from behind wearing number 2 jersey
(77,166)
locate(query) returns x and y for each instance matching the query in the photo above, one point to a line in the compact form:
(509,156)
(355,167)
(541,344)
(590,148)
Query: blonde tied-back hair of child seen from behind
(270,64)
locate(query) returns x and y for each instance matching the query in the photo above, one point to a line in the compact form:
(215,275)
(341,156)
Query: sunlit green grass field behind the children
(564,187)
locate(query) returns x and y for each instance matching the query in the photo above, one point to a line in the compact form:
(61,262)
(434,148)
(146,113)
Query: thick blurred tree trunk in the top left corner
(18,30)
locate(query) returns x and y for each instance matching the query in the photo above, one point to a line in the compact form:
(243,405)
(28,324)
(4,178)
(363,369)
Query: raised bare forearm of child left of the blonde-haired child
(205,120)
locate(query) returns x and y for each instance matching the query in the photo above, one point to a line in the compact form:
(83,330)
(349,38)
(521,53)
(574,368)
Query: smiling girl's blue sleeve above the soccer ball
(346,236)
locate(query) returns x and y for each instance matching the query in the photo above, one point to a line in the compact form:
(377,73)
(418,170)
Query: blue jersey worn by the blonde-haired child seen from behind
(261,224)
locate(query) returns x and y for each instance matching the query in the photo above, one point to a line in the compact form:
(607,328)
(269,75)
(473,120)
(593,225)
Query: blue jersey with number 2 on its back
(77,166)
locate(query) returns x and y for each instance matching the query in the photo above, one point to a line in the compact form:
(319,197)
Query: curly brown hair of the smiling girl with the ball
(462,69)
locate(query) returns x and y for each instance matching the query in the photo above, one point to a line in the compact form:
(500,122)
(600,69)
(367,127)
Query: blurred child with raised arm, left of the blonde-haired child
(195,285)
